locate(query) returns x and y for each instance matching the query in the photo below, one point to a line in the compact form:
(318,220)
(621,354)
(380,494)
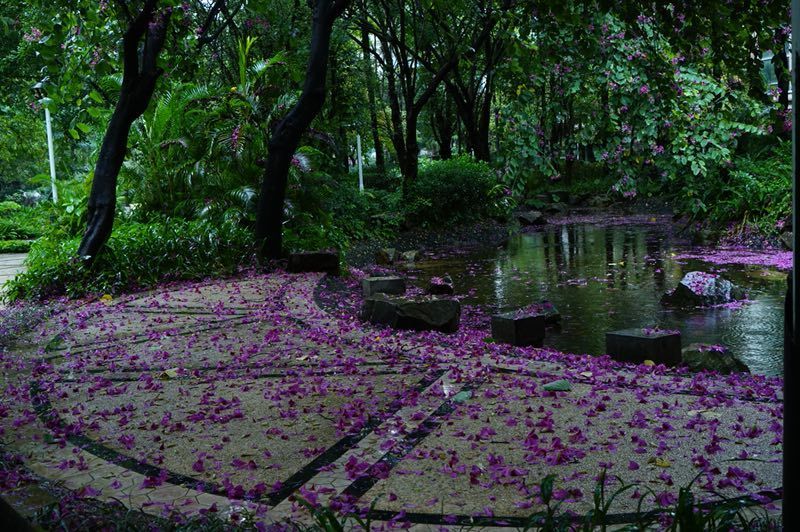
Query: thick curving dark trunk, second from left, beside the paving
(286,136)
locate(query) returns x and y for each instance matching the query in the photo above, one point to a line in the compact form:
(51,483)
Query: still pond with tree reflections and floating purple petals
(604,278)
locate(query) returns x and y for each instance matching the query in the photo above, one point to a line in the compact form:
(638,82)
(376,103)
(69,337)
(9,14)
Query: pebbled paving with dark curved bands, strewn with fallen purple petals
(243,393)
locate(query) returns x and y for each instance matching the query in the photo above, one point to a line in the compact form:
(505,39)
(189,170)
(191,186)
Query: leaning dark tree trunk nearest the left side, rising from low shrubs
(138,83)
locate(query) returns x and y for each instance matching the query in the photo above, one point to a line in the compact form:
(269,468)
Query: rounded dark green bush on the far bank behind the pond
(451,190)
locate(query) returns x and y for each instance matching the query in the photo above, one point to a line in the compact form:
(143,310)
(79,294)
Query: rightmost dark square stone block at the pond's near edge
(637,345)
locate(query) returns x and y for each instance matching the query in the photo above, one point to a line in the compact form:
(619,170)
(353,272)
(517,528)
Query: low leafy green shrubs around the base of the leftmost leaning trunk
(137,256)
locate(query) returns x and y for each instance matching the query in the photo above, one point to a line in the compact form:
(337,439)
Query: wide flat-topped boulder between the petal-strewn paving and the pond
(419,313)
